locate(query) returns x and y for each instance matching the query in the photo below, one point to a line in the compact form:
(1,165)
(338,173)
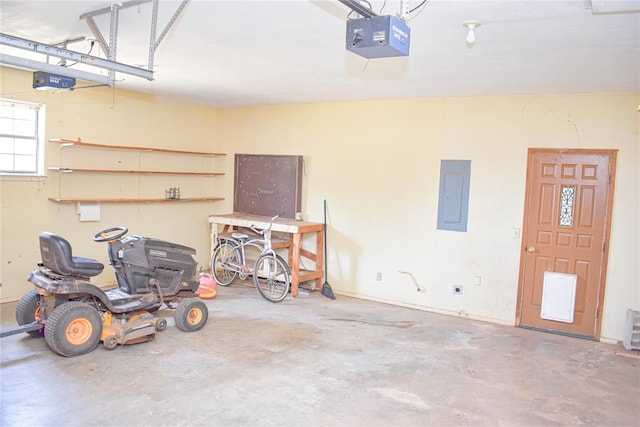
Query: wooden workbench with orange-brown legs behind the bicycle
(295,230)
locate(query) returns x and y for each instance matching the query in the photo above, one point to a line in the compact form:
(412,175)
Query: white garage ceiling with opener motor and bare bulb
(243,52)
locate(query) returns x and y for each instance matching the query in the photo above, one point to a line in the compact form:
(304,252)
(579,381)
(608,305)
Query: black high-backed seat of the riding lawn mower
(56,255)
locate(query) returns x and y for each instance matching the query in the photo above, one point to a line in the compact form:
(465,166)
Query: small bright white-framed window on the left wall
(21,137)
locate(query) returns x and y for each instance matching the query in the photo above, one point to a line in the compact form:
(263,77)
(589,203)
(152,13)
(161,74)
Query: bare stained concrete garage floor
(317,362)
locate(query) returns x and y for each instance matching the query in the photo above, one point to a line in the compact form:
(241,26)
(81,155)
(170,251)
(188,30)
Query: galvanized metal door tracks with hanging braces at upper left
(109,49)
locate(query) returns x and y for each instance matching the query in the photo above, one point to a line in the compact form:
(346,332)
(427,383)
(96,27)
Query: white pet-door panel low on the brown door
(558,296)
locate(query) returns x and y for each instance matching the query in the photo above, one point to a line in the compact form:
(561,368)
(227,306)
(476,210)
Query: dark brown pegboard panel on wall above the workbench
(267,184)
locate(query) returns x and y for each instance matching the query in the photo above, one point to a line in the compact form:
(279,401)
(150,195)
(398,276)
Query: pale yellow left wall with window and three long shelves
(107,116)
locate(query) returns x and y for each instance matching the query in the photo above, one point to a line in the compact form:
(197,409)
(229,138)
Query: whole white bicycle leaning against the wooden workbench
(271,273)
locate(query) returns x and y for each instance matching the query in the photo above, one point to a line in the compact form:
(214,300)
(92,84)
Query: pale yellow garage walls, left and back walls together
(377,165)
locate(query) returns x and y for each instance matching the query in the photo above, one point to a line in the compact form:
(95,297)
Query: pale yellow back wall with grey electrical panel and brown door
(377,165)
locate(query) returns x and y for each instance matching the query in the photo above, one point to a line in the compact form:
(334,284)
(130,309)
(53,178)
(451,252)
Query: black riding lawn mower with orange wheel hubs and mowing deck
(75,315)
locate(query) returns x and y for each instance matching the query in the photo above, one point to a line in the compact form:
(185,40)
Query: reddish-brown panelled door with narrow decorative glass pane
(566,230)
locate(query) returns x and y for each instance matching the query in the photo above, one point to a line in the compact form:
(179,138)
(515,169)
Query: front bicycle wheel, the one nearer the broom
(272,277)
